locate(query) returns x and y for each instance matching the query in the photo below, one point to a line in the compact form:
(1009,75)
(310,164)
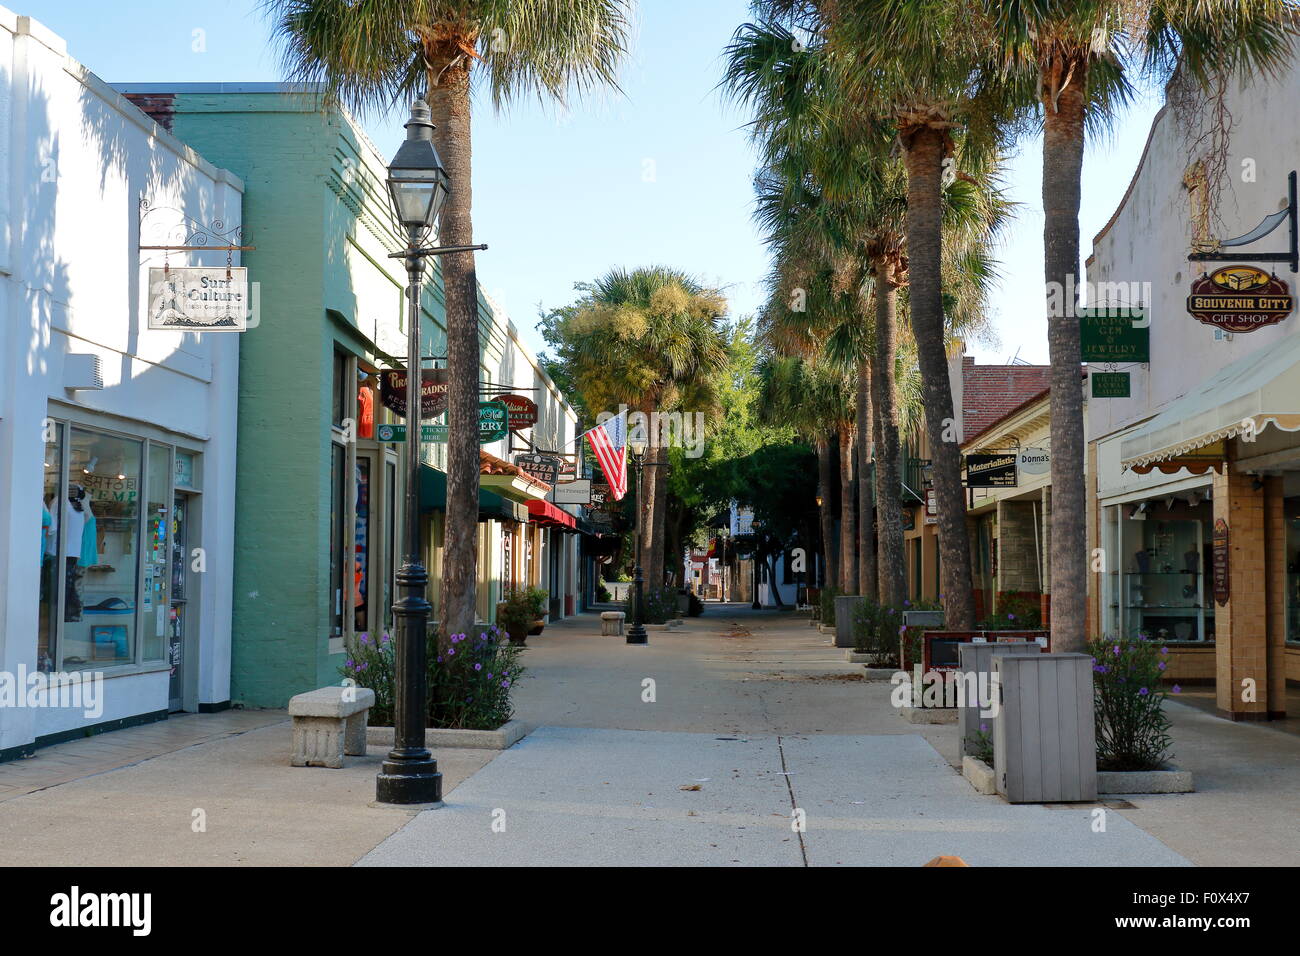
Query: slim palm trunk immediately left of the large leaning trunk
(894,589)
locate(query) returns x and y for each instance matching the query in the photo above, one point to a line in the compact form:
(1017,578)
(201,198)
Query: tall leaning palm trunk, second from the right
(924,162)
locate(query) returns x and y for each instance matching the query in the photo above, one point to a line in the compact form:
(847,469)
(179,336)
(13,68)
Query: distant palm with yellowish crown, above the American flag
(649,339)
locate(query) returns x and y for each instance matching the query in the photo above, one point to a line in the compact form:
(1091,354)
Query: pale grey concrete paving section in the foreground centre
(596,798)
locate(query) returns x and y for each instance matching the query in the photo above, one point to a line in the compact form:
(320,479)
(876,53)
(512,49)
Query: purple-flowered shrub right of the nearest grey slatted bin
(1133,730)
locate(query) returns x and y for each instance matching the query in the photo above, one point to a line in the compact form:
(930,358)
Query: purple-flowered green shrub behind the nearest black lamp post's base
(467,689)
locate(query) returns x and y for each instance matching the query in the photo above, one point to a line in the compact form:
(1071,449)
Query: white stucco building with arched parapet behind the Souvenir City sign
(1197,475)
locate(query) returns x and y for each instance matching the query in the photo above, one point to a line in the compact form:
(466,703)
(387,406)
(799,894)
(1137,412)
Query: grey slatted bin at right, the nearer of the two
(1045,739)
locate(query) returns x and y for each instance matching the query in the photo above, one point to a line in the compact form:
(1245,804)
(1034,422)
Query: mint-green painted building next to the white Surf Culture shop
(331,319)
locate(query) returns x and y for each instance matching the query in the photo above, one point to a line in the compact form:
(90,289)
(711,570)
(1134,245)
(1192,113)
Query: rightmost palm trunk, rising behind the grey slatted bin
(1063,171)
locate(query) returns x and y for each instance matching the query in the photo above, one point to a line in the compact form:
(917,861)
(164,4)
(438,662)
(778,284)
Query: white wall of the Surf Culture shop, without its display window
(75,161)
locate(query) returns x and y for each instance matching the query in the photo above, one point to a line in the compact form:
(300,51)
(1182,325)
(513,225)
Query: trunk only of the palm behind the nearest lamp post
(449,101)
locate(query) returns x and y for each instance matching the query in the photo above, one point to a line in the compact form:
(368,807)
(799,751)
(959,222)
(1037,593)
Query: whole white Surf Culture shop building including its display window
(133,582)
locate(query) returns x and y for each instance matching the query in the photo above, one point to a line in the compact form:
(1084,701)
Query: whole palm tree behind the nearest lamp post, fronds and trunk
(375,57)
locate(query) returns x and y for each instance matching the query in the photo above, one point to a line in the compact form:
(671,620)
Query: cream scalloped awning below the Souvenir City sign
(1254,392)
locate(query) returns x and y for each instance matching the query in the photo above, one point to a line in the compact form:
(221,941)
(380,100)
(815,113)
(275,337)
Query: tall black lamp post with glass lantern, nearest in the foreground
(418,187)
